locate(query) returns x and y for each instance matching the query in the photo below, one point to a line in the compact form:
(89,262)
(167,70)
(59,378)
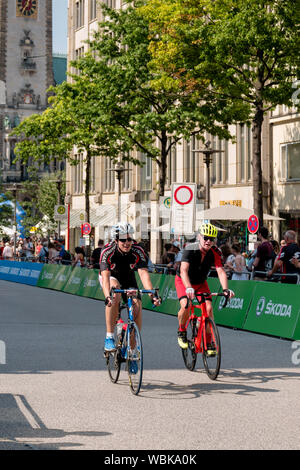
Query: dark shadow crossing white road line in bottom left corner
(22,428)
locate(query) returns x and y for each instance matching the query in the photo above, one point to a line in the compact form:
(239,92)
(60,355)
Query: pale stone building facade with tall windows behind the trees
(231,172)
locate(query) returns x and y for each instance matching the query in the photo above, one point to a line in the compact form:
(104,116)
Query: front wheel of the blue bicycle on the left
(135,359)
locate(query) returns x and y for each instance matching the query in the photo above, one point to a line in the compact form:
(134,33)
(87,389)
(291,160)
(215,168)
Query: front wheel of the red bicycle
(212,360)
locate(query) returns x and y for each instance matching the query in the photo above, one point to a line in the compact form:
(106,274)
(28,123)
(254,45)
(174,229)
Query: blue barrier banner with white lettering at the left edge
(17,271)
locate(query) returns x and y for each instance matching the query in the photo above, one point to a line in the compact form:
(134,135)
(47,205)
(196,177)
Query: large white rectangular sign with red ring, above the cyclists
(183,208)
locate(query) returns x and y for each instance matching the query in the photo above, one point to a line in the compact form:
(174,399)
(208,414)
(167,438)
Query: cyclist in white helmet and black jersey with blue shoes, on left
(118,262)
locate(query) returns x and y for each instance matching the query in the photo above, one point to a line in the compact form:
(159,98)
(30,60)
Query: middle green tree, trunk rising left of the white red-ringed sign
(139,107)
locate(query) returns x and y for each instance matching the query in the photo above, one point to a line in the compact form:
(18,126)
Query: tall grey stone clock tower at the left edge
(26,72)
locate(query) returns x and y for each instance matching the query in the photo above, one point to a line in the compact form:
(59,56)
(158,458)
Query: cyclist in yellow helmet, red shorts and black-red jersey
(197,260)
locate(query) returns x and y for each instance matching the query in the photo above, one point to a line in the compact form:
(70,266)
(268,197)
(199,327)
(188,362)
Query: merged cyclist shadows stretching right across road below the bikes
(232,381)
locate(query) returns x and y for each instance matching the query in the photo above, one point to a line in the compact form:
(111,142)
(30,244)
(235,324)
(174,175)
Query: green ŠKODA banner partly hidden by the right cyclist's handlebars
(235,312)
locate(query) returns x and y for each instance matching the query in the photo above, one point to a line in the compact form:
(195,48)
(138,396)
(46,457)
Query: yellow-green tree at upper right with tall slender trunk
(247,49)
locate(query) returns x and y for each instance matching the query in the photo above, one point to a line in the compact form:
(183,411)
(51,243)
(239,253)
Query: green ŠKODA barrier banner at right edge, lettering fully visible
(274,309)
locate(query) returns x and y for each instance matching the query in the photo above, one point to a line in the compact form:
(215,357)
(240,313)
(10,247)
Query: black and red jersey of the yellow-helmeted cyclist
(199,269)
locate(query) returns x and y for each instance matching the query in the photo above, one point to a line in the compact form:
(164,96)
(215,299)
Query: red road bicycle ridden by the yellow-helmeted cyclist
(203,337)
